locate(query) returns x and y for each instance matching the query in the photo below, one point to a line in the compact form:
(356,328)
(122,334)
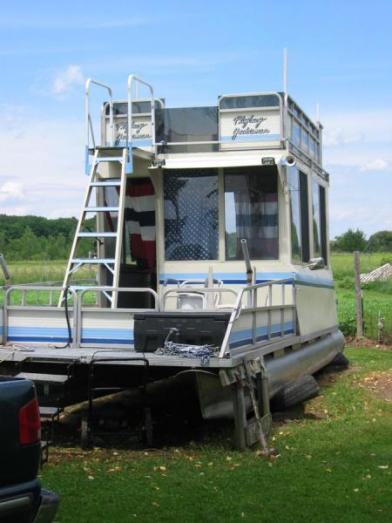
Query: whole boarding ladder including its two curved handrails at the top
(108,153)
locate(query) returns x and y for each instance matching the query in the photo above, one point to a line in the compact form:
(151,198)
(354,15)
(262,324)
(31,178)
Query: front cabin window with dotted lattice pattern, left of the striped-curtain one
(191,214)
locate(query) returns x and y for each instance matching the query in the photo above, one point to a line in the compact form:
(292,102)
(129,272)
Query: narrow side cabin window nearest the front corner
(298,186)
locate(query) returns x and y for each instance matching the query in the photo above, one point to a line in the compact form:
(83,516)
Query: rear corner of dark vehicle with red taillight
(22,500)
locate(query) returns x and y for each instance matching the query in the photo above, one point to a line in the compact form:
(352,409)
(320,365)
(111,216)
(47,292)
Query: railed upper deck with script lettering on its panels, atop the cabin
(239,122)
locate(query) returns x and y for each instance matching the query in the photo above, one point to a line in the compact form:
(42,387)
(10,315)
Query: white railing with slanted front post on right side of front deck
(252,307)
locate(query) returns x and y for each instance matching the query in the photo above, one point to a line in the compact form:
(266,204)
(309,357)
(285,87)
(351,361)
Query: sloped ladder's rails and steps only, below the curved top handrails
(101,155)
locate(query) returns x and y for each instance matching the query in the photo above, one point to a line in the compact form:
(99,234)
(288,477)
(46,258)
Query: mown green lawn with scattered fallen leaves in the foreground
(335,465)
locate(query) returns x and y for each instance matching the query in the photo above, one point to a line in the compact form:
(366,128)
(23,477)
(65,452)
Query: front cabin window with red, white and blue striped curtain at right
(251,212)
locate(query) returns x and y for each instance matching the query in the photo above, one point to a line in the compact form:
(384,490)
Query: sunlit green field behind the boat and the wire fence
(377,296)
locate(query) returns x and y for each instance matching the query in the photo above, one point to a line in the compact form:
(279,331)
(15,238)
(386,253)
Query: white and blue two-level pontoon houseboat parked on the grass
(205,230)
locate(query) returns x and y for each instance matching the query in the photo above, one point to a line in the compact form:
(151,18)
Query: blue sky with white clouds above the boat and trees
(340,57)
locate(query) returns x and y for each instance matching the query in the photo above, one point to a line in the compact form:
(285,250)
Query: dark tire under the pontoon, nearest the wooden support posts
(297,391)
